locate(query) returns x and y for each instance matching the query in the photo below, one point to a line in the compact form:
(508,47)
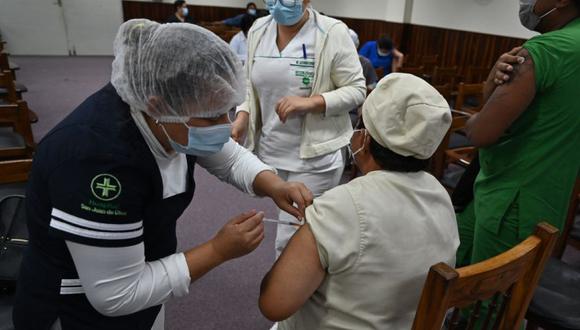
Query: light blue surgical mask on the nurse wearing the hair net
(203,141)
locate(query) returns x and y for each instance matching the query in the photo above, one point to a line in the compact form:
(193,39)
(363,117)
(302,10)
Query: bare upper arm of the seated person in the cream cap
(293,279)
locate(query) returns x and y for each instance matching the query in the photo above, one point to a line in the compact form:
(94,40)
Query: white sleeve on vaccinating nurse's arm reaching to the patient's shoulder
(235,165)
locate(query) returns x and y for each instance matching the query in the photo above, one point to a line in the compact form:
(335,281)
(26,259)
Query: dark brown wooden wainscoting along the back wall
(455,48)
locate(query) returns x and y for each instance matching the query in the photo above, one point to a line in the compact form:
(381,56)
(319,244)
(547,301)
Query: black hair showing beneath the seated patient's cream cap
(389,160)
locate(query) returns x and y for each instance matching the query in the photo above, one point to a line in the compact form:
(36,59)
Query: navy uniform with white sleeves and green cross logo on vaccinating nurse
(102,208)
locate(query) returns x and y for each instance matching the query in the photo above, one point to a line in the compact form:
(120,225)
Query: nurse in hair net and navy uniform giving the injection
(110,181)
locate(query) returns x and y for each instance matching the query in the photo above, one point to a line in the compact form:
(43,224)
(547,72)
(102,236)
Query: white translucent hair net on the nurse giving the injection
(177,71)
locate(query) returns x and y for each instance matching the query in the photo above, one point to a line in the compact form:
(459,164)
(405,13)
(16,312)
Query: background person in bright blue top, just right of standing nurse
(383,54)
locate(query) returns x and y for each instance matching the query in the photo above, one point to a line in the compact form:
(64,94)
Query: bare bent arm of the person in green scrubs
(505,105)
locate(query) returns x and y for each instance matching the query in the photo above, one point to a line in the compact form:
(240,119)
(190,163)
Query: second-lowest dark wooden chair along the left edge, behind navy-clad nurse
(16,137)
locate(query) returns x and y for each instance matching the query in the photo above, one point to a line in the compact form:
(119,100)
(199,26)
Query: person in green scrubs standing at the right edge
(528,133)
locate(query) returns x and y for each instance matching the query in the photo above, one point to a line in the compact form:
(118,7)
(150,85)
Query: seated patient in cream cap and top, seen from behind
(361,259)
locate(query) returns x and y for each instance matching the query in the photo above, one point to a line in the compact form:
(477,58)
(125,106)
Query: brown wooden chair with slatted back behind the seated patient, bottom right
(507,280)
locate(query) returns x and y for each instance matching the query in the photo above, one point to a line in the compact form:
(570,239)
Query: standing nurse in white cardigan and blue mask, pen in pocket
(304,77)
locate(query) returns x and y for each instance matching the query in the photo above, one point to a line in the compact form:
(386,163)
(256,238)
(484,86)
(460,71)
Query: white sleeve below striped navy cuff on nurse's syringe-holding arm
(118,281)
